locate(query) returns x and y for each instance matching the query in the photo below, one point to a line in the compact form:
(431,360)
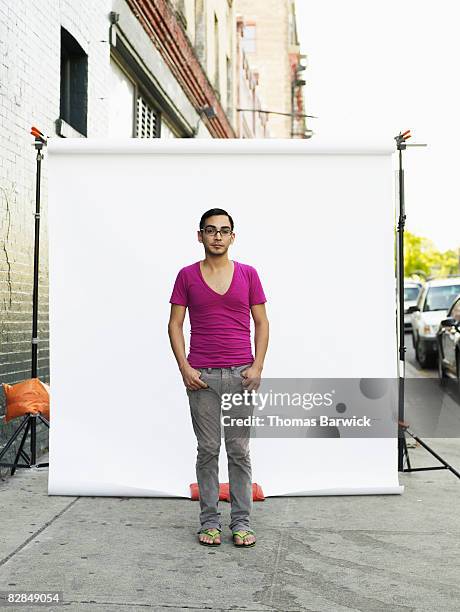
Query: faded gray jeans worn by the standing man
(206,412)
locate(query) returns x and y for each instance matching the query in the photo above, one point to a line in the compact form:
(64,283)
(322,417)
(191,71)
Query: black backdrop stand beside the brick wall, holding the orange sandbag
(29,422)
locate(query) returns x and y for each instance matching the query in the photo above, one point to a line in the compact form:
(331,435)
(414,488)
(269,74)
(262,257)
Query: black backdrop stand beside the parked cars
(403,426)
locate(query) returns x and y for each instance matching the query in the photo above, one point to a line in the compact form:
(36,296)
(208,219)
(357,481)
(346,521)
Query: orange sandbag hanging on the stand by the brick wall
(30,396)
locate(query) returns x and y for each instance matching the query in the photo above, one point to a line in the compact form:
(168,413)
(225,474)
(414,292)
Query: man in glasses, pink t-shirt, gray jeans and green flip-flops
(220,295)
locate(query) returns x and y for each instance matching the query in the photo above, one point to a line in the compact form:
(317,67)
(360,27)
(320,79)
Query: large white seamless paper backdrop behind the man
(318,225)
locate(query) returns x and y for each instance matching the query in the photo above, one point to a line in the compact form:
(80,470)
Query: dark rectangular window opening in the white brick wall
(74,83)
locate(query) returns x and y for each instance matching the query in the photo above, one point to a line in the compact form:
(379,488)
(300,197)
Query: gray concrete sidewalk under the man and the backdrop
(333,554)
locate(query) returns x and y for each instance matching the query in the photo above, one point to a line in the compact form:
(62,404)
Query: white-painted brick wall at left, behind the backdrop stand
(29,95)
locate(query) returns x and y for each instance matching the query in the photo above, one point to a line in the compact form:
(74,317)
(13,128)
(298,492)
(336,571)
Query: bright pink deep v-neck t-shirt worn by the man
(220,324)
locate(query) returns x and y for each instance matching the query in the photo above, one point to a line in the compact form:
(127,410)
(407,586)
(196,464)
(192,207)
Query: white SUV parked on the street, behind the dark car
(433,302)
